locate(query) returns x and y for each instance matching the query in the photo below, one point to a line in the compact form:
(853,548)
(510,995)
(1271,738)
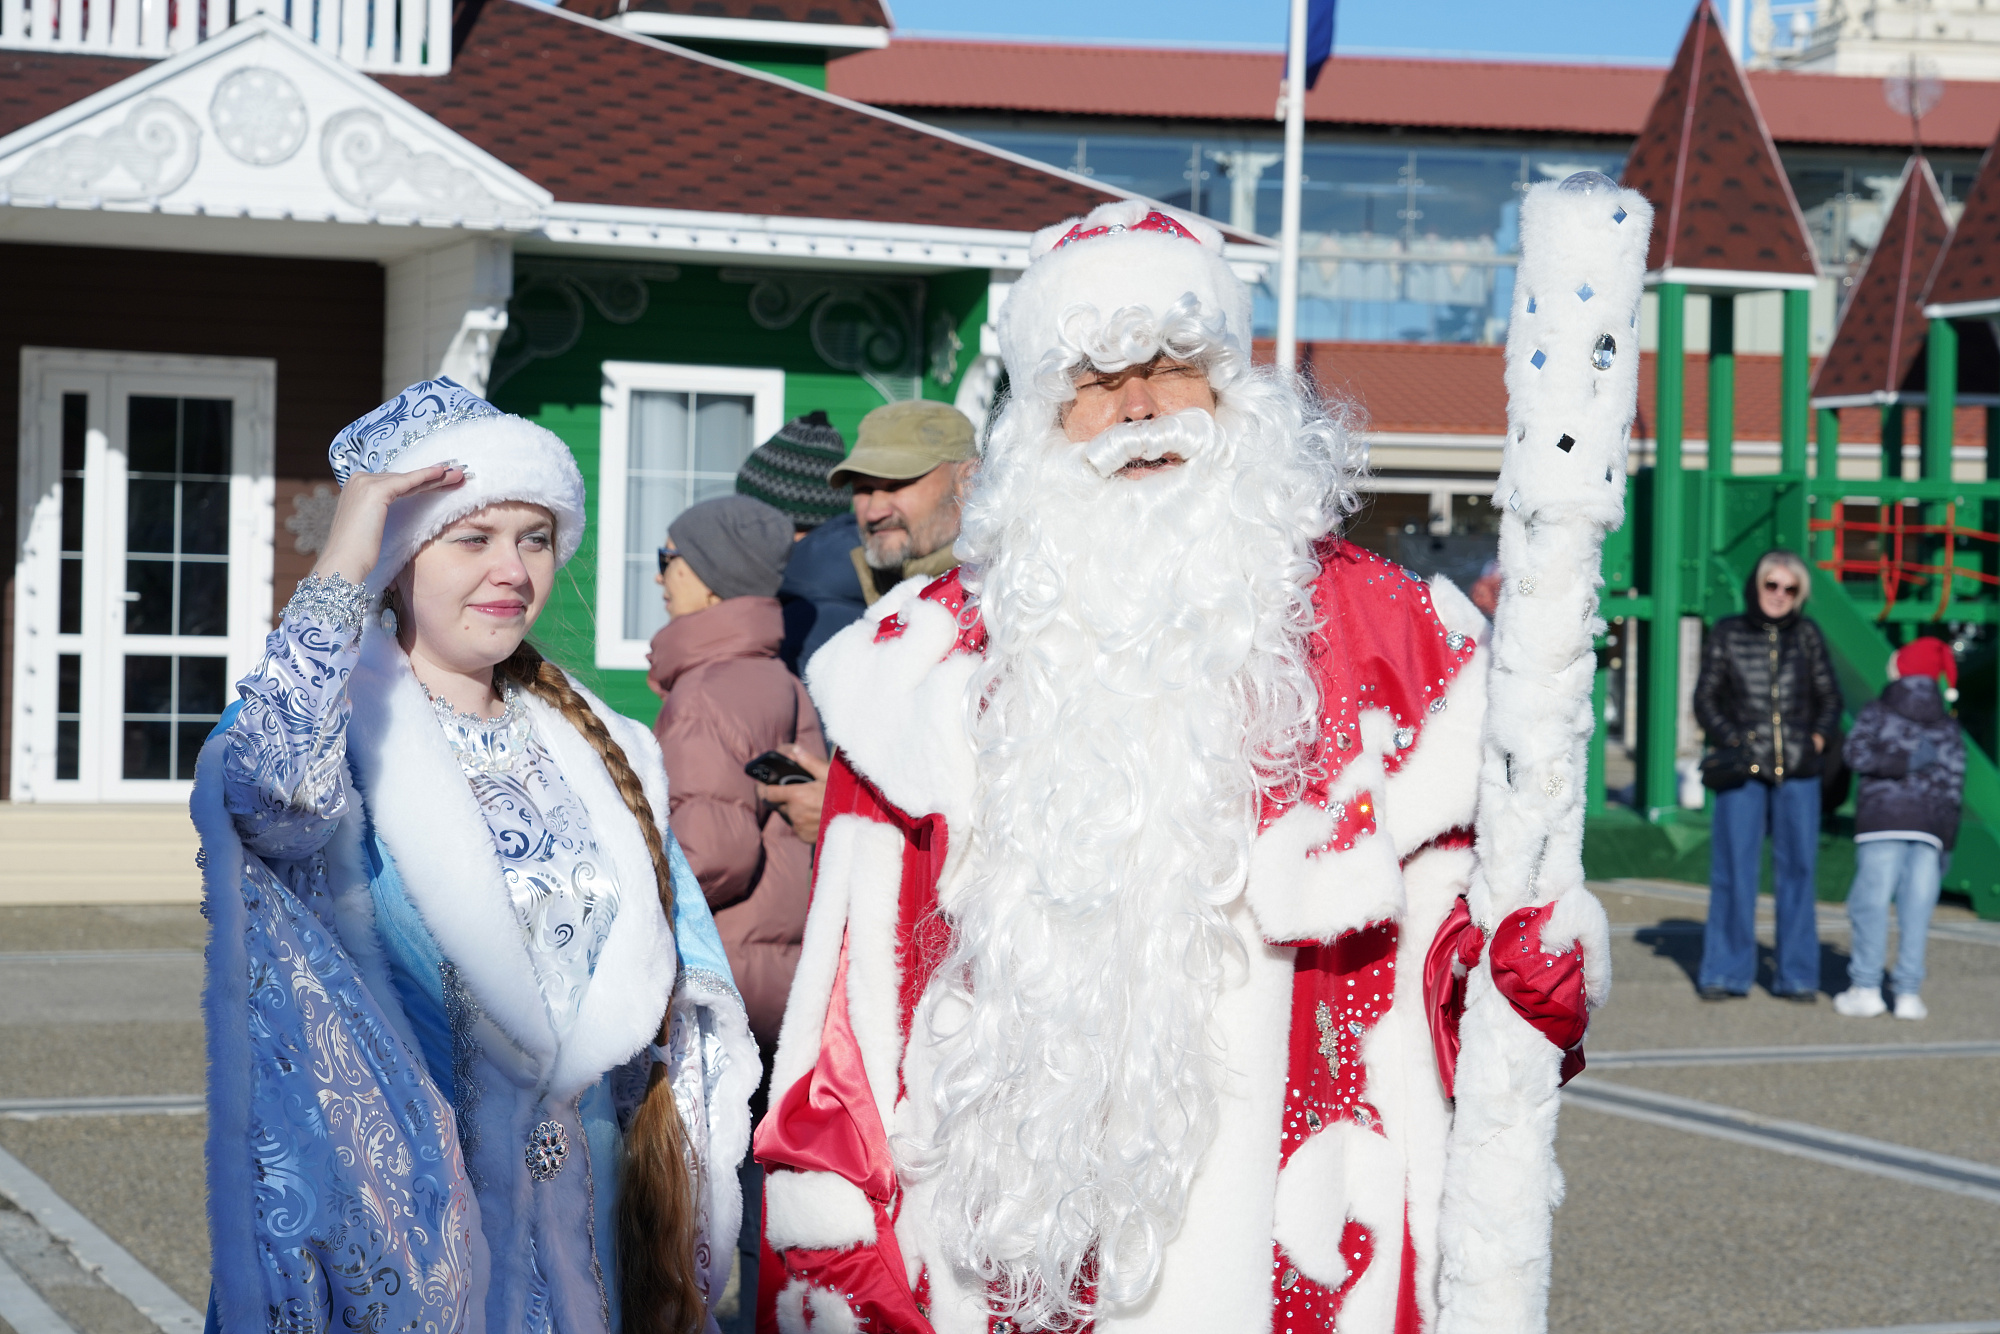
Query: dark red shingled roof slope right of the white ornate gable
(601,117)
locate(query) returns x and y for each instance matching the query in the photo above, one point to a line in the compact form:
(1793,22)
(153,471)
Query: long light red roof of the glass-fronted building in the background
(1373,91)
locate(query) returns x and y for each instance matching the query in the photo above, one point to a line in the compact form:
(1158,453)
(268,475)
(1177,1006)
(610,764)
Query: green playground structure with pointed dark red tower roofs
(1893,555)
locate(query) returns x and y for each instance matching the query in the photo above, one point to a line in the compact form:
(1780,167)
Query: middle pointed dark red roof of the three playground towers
(1883,329)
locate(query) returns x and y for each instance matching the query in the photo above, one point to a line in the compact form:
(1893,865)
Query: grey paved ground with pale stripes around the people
(1665,1227)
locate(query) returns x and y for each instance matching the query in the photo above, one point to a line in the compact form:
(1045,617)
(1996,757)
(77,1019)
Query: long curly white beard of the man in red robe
(1145,681)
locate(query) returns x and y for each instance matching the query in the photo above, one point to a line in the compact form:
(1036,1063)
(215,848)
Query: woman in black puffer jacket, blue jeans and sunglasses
(1769,703)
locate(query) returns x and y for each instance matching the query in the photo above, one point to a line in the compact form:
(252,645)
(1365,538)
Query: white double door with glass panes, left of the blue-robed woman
(143,589)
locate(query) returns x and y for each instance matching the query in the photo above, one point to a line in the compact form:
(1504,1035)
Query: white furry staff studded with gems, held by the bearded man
(1573,389)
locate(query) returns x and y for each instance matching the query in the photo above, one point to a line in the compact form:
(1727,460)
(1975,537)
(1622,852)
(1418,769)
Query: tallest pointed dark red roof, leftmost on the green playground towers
(1707,163)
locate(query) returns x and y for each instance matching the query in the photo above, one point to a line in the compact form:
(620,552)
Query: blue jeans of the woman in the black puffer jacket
(1791,817)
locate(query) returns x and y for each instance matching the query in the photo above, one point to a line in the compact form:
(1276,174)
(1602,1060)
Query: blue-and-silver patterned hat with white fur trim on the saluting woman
(505,459)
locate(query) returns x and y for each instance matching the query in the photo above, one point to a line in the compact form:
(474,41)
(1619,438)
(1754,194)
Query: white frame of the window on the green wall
(615,439)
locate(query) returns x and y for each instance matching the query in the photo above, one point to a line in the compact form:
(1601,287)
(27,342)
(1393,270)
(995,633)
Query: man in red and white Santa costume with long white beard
(1133,977)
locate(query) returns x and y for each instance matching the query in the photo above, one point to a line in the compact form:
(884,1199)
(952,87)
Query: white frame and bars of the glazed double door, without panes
(45,375)
